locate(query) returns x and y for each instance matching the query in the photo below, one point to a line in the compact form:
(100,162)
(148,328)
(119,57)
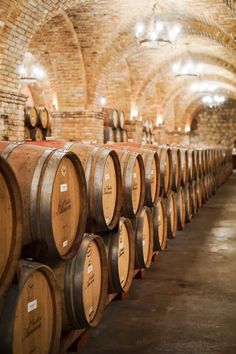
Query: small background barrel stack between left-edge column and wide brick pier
(37,123)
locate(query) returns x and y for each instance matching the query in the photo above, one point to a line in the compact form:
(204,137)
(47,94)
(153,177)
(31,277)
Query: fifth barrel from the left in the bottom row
(159,225)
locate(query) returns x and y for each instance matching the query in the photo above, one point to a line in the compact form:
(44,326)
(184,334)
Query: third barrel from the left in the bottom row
(120,249)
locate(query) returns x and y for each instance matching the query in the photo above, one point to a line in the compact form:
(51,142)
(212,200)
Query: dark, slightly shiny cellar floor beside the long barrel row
(186,301)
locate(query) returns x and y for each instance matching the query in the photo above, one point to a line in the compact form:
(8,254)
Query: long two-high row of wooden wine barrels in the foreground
(87,216)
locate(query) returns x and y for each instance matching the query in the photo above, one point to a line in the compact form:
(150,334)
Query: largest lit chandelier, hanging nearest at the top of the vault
(156,30)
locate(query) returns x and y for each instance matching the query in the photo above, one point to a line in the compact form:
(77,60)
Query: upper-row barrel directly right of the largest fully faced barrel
(104,184)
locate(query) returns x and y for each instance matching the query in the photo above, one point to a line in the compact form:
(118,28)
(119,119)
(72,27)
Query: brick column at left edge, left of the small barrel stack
(11,116)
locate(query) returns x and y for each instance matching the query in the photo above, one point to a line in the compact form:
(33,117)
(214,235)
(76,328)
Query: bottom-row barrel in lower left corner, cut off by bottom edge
(30,320)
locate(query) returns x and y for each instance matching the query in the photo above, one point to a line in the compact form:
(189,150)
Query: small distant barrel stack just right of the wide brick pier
(114,125)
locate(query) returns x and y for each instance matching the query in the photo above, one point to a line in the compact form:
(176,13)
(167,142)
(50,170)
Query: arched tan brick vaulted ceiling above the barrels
(89,50)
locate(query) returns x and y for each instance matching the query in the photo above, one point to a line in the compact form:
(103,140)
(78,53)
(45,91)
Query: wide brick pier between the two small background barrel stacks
(83,126)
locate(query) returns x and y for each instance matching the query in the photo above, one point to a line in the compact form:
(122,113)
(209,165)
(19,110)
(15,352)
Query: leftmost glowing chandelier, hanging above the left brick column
(30,71)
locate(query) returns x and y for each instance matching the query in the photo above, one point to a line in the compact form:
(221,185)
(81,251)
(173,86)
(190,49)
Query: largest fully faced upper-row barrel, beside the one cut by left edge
(53,188)
